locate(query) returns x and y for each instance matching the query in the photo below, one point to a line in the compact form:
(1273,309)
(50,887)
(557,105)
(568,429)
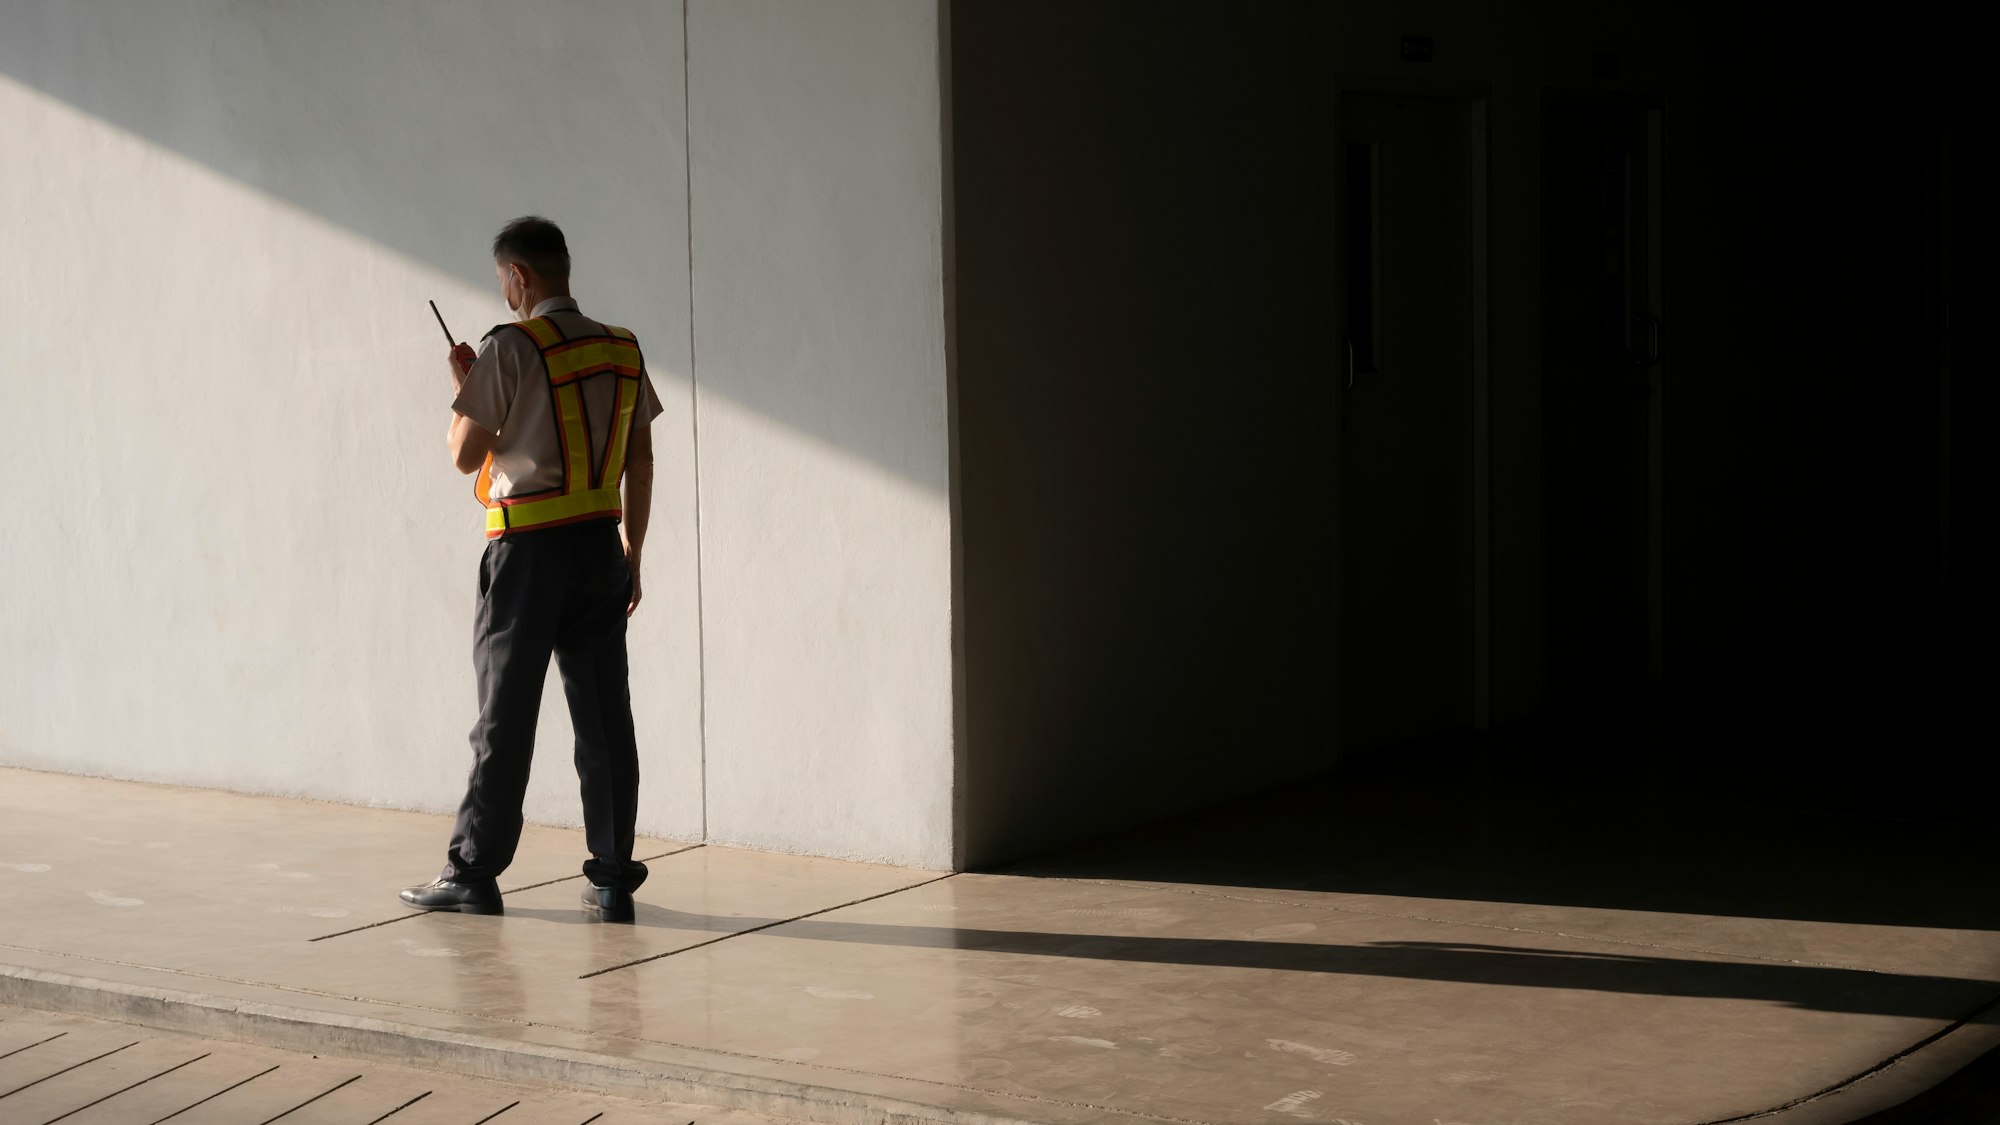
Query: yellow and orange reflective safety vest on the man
(591,477)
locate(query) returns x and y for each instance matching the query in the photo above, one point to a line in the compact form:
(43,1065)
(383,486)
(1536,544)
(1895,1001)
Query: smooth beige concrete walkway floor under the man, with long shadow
(1375,954)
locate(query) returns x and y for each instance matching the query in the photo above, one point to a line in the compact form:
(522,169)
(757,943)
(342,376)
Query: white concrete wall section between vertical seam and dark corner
(821,377)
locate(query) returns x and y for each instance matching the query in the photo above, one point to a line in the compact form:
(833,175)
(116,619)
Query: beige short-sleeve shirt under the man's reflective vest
(507,393)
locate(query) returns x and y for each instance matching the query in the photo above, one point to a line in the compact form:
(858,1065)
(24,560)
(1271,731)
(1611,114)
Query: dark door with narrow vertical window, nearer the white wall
(1407,433)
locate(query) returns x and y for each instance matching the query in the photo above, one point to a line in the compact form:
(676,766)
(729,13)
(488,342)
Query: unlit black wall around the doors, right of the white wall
(1729,423)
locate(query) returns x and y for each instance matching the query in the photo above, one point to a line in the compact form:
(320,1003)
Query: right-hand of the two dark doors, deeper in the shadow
(1601,405)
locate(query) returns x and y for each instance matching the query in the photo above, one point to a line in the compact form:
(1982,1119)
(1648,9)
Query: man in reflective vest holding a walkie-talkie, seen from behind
(551,413)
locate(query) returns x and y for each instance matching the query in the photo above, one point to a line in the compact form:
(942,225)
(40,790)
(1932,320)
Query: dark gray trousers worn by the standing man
(559,592)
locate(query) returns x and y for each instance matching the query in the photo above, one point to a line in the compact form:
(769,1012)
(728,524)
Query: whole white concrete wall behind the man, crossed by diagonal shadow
(235,551)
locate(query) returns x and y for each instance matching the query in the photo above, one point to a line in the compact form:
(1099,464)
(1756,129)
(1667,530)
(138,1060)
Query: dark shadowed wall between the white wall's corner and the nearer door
(1143,391)
